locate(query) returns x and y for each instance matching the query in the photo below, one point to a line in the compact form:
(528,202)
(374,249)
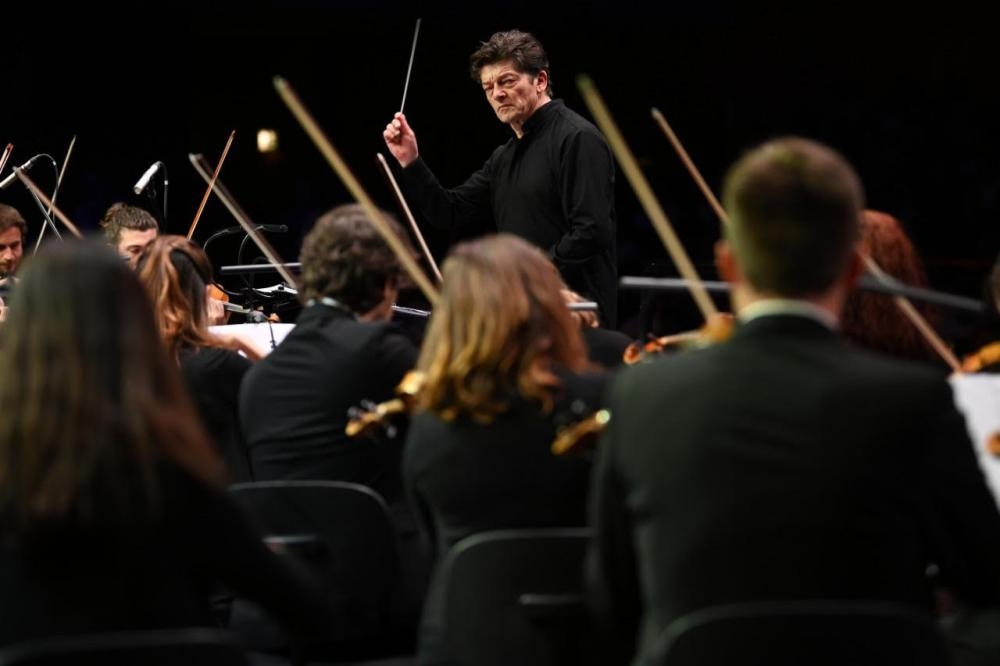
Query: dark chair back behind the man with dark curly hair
(343,532)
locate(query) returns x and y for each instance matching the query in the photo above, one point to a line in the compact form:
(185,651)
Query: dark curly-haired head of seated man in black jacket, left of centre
(345,257)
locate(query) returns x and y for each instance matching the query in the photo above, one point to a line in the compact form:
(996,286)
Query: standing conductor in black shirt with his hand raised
(552,183)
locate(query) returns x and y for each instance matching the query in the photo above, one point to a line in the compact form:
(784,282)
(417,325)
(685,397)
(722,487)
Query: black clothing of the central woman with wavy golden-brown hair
(465,477)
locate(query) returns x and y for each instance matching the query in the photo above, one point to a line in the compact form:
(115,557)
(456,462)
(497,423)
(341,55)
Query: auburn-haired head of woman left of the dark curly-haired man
(176,273)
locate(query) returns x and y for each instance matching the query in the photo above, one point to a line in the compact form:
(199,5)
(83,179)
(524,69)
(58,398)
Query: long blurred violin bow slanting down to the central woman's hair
(333,157)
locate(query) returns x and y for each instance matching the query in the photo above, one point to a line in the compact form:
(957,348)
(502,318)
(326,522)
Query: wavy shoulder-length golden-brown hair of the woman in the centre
(500,329)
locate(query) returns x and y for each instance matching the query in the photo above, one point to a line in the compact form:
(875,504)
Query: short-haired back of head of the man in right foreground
(794,206)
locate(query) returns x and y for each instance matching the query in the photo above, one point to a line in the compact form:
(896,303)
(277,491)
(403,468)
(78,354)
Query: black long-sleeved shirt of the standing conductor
(553,187)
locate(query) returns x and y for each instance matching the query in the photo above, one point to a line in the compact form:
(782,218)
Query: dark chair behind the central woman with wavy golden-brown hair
(515,596)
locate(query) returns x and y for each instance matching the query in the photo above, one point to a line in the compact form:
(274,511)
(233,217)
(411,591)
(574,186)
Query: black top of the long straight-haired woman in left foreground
(148,573)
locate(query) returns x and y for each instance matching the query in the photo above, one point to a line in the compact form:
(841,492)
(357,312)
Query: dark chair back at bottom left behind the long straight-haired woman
(189,646)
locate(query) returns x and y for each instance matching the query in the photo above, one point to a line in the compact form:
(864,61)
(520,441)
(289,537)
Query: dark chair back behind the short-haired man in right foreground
(814,632)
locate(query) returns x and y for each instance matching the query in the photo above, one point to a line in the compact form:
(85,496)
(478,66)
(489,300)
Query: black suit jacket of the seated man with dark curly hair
(294,403)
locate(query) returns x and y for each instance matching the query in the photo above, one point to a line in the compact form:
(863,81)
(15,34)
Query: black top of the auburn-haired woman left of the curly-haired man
(213,376)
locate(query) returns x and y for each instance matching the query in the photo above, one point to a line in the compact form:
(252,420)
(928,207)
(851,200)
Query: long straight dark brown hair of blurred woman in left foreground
(90,401)
